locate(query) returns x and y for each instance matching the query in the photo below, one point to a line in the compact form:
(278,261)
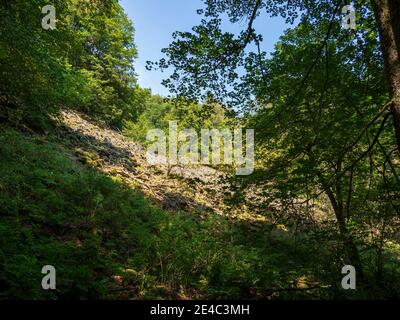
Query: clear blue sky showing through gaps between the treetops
(156,20)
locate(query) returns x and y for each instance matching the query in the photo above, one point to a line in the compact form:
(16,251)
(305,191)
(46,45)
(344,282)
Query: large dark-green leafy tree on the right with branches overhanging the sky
(326,130)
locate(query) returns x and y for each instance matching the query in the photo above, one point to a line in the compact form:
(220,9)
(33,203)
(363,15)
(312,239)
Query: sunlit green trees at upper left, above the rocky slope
(85,63)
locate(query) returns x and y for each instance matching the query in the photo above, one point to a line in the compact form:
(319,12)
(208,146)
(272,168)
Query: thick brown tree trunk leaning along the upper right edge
(387,15)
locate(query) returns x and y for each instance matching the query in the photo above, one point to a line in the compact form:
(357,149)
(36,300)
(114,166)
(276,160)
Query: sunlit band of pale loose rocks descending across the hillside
(196,189)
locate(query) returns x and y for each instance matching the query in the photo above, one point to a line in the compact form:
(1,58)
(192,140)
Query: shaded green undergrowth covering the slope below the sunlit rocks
(107,241)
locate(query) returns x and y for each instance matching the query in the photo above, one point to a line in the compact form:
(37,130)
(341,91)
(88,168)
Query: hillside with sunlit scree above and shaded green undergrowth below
(85,201)
